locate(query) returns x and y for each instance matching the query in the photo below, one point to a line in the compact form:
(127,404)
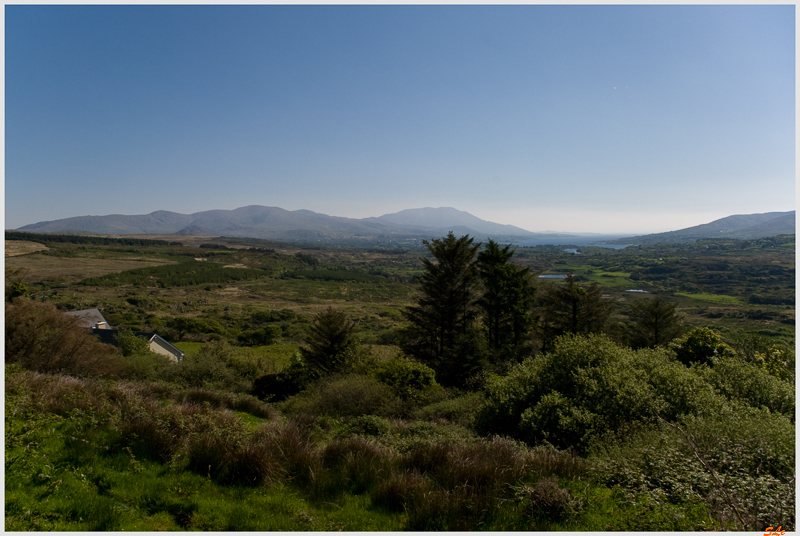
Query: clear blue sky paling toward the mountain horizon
(568,118)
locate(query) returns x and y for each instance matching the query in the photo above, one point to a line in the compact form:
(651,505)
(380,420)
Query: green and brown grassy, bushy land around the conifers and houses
(162,446)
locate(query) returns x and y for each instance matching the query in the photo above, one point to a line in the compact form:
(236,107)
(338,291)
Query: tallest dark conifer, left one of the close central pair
(442,324)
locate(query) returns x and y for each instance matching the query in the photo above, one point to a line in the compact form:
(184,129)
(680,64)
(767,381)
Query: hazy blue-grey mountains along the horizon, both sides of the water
(275,223)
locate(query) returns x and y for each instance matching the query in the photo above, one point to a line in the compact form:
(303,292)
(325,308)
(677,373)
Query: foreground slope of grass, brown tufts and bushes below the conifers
(591,436)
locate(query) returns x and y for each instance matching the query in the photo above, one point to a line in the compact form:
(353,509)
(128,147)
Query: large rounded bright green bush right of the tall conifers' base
(588,386)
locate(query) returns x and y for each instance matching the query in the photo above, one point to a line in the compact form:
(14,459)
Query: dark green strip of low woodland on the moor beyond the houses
(177,275)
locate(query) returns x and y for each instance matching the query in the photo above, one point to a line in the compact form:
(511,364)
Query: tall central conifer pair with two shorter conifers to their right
(477,310)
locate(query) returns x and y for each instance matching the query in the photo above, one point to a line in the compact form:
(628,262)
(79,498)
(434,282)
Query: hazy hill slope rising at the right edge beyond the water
(741,226)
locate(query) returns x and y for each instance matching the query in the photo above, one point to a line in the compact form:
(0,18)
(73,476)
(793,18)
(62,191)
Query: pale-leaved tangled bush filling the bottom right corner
(738,464)
